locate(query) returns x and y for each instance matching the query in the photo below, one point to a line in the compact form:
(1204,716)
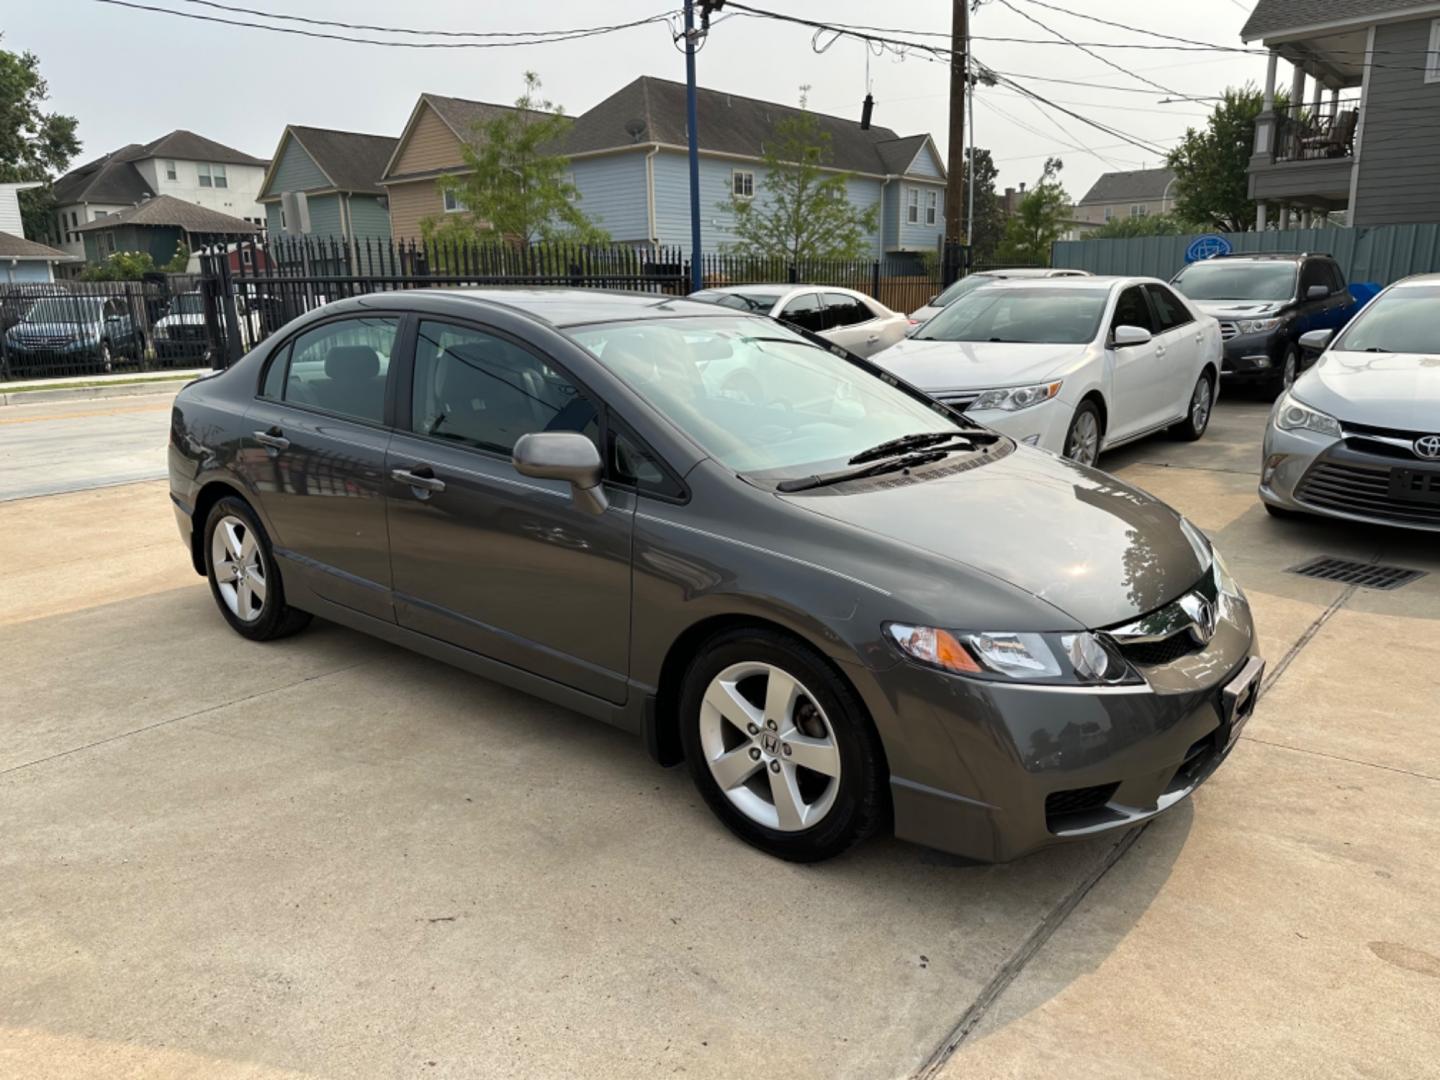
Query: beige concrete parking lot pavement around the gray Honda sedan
(332,858)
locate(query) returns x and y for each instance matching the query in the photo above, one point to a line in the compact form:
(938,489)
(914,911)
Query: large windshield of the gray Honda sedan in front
(758,398)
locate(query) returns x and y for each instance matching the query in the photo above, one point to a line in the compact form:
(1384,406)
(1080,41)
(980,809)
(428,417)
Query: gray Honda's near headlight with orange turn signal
(1081,659)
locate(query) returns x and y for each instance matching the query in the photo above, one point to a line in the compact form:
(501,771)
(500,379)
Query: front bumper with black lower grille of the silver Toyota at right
(1318,474)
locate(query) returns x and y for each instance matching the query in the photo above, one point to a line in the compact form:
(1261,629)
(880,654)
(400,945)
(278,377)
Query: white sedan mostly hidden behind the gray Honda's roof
(853,320)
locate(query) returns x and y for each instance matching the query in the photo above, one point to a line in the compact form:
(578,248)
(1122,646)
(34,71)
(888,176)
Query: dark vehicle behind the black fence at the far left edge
(73,333)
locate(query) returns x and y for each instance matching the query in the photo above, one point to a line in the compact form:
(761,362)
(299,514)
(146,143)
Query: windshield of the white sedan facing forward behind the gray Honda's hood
(1032,315)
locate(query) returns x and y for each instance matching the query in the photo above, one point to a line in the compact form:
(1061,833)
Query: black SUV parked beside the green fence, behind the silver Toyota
(1265,303)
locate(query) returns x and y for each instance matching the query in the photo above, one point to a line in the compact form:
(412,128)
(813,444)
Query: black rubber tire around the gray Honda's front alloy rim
(862,801)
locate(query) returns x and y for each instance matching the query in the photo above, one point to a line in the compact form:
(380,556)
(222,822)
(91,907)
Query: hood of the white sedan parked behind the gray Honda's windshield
(974,365)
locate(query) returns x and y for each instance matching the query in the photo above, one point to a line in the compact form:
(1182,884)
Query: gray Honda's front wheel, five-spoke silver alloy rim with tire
(781,748)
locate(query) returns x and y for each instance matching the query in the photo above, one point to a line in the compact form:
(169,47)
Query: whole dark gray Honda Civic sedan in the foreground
(842,604)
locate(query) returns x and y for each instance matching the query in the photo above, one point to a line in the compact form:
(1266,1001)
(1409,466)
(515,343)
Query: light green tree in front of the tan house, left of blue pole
(518,189)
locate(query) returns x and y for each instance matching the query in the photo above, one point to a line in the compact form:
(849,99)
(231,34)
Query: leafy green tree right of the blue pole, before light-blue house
(801,211)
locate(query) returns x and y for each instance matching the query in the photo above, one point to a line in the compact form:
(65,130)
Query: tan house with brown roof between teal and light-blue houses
(430,148)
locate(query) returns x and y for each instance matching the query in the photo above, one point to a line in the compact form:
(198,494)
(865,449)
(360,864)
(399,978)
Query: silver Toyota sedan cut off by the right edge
(1359,436)
